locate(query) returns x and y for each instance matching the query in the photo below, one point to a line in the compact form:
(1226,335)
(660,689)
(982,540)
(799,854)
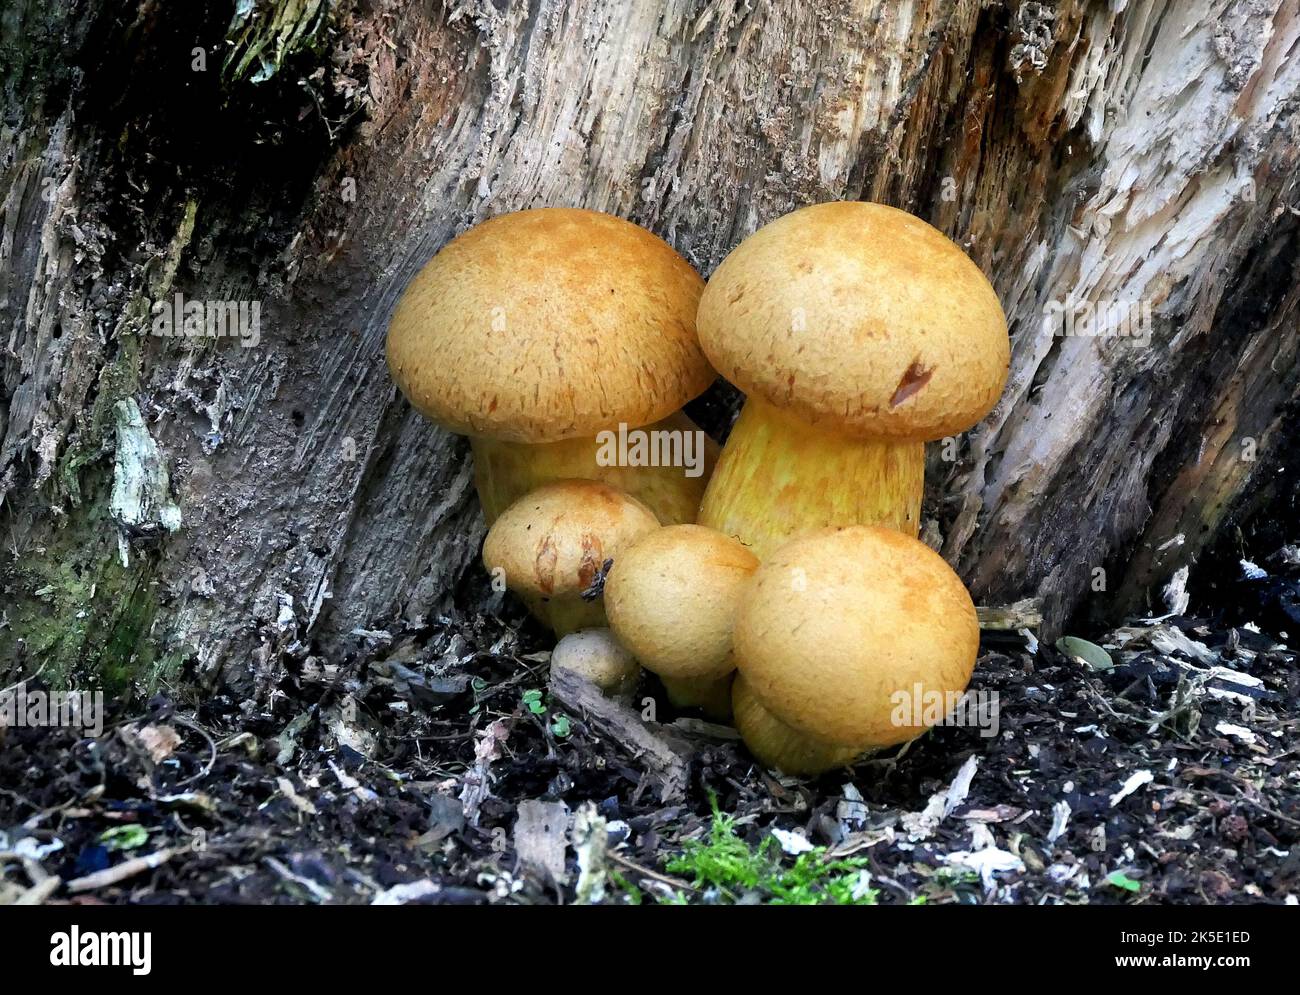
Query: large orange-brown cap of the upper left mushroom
(549,325)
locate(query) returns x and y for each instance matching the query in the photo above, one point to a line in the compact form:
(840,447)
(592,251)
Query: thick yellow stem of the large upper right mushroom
(781,478)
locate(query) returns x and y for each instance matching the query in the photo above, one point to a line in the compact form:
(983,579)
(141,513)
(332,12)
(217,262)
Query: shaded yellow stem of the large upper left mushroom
(505,471)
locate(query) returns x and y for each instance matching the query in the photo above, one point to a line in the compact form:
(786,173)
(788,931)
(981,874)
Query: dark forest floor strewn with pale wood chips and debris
(443,768)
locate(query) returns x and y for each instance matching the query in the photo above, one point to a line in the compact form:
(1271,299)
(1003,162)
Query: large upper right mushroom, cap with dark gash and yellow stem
(859,334)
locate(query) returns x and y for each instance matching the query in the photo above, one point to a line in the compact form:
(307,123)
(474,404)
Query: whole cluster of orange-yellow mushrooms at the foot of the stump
(783,587)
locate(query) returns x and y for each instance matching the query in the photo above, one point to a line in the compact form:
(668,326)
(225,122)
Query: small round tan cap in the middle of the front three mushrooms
(671,599)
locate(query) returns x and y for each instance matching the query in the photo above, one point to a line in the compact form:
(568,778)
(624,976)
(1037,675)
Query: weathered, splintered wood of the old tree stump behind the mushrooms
(1086,152)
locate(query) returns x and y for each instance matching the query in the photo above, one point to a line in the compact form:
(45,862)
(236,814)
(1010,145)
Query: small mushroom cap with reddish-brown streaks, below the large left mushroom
(554,542)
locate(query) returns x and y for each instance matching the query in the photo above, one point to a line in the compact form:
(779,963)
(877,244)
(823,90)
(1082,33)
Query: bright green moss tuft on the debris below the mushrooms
(727,867)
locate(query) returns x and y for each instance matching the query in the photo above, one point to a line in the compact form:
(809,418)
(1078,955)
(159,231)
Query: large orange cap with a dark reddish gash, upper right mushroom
(859,318)
